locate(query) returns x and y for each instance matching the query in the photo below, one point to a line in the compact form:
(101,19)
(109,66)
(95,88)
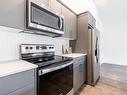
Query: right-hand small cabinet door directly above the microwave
(56,7)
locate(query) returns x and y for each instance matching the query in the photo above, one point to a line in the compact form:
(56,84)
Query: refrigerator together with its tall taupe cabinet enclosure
(88,42)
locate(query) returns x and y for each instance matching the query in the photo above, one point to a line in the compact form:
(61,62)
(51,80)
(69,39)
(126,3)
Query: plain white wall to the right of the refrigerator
(114,43)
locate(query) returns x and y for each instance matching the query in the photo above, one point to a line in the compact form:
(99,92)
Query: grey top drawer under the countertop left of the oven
(13,82)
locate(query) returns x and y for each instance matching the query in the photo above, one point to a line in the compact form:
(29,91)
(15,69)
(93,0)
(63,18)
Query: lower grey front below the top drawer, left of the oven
(28,90)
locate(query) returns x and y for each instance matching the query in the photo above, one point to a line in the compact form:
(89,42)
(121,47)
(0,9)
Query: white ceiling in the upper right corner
(112,11)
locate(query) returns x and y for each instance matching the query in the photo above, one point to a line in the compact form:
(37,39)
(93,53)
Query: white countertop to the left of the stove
(13,67)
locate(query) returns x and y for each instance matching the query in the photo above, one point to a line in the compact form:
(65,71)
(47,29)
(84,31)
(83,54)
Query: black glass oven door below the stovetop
(56,81)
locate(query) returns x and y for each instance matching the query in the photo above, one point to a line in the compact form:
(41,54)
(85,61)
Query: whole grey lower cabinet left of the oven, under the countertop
(23,83)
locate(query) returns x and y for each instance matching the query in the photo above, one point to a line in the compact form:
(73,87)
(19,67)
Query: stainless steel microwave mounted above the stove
(41,18)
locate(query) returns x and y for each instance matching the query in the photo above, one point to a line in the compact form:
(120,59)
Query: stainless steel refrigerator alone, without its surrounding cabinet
(93,62)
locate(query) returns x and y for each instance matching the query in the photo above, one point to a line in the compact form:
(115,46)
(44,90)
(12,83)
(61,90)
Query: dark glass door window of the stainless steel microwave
(43,17)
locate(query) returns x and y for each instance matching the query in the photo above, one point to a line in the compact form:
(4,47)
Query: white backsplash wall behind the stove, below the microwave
(10,39)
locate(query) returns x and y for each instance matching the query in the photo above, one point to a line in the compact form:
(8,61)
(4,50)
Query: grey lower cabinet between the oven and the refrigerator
(79,72)
